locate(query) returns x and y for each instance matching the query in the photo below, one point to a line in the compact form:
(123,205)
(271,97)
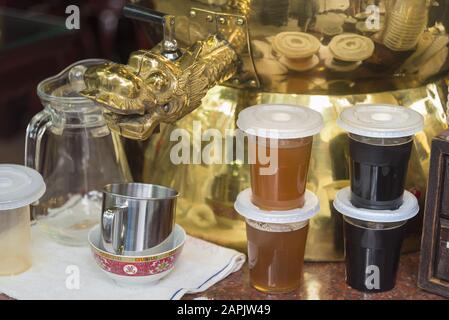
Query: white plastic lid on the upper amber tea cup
(280,121)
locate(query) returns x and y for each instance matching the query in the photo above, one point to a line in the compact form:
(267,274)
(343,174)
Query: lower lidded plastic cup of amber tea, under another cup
(276,243)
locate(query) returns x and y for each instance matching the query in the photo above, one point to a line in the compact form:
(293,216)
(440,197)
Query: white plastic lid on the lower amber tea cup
(244,206)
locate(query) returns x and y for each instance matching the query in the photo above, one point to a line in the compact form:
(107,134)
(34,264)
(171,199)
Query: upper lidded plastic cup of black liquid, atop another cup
(380,144)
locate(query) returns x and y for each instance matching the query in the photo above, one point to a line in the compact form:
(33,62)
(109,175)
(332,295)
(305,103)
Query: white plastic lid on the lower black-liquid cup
(408,210)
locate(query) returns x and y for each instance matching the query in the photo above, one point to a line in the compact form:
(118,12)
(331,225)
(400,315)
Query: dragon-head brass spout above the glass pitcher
(152,89)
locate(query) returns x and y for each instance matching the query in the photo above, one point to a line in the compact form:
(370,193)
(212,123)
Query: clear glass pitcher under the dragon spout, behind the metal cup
(70,144)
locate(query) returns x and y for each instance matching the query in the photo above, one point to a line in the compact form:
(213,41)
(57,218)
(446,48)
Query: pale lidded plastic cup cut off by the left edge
(19,187)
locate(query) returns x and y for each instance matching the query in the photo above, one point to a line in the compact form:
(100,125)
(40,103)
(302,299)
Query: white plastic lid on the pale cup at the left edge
(19,186)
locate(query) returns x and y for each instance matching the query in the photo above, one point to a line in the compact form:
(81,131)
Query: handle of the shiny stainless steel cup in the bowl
(113,229)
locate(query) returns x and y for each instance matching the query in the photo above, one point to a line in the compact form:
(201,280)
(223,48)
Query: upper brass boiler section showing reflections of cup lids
(323,47)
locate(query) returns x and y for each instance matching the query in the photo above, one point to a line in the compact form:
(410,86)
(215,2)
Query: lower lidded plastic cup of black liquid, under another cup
(373,241)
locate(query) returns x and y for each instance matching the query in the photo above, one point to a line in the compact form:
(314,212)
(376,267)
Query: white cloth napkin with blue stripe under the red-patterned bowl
(56,267)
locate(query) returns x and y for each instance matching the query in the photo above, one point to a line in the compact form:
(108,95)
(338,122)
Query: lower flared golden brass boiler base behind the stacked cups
(205,208)
